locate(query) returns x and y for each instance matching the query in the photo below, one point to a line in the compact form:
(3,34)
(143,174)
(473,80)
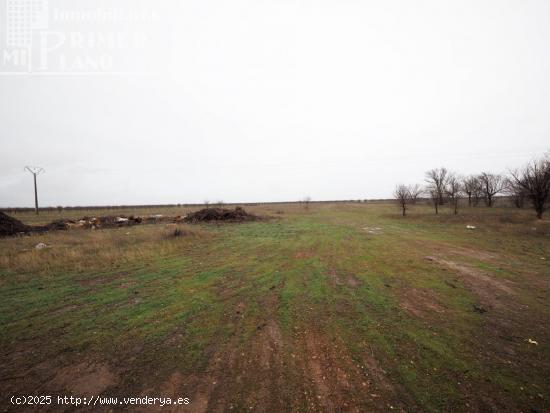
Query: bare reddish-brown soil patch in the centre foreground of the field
(260,375)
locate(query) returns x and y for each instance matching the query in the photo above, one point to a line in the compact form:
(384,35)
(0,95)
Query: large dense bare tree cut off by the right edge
(534,178)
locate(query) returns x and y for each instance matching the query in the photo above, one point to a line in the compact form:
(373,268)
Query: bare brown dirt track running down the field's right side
(506,322)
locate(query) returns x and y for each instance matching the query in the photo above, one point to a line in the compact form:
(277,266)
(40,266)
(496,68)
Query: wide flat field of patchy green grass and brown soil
(342,307)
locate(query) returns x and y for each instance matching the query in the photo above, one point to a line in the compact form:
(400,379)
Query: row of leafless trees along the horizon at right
(529,183)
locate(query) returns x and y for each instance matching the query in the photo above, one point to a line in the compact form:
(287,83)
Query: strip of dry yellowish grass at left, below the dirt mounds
(84,250)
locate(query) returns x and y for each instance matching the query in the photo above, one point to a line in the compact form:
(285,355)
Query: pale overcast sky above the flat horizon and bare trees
(275,100)
